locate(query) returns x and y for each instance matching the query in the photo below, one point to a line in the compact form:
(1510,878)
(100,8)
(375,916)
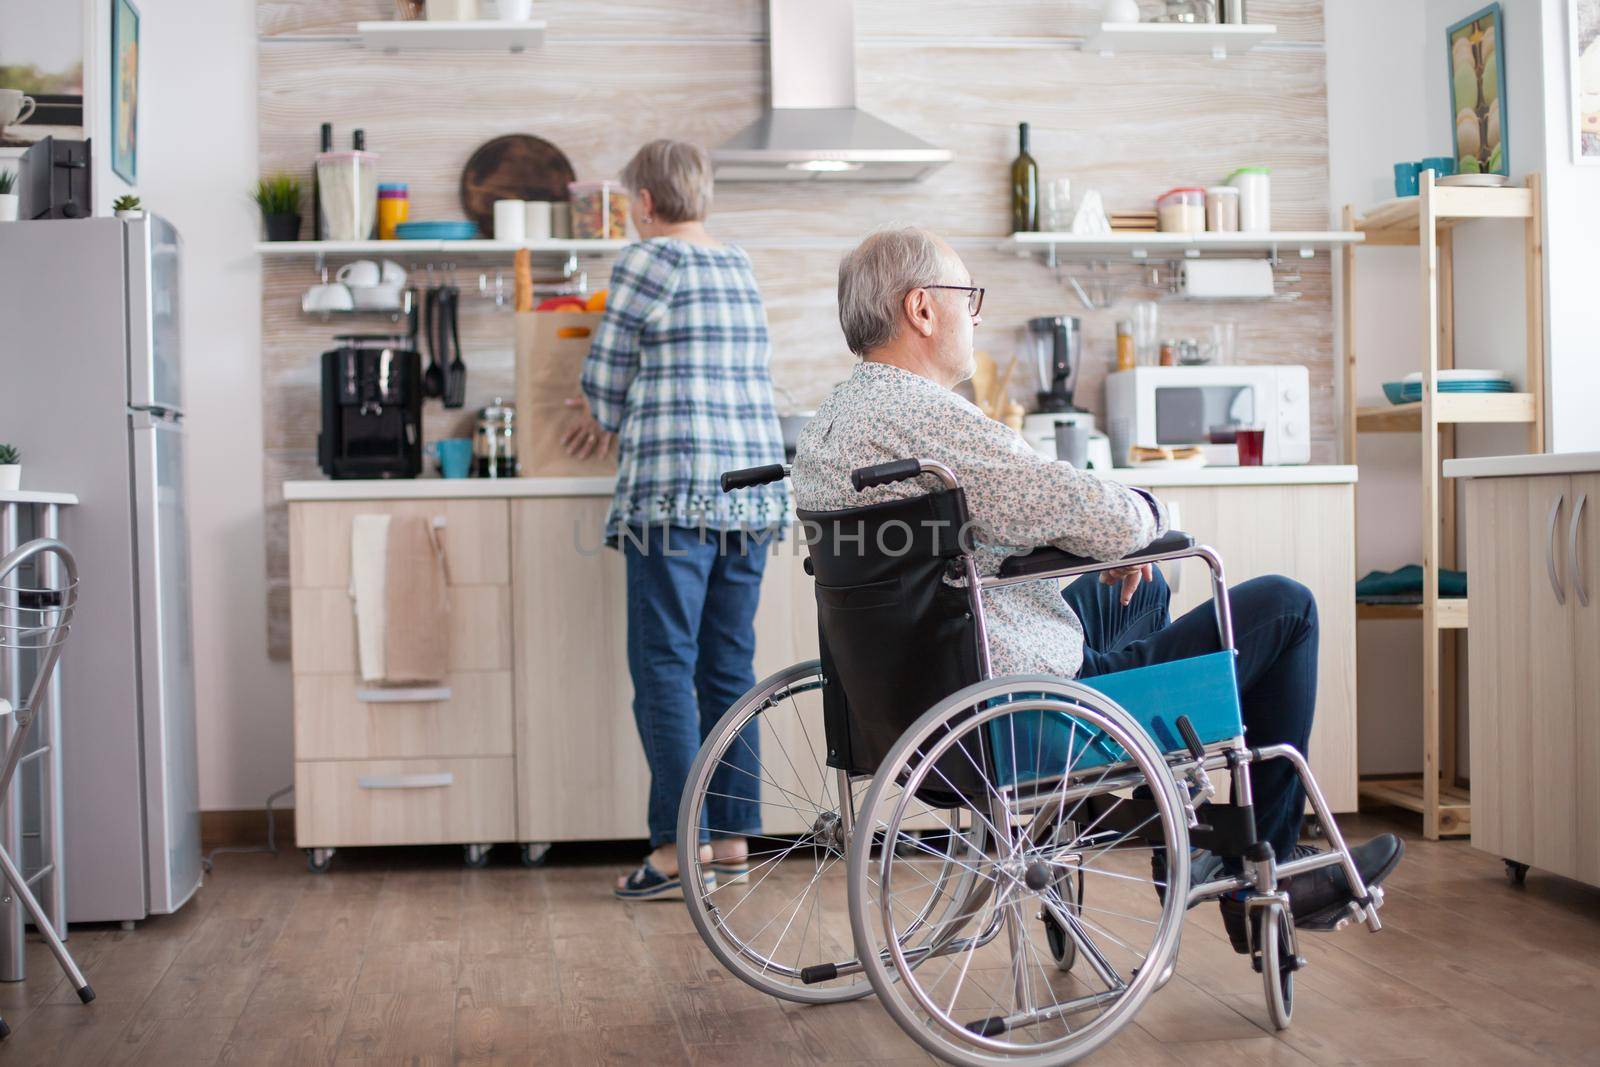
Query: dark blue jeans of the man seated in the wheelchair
(1276,636)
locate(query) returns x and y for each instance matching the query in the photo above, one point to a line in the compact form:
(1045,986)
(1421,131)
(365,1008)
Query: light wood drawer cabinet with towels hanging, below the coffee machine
(377,769)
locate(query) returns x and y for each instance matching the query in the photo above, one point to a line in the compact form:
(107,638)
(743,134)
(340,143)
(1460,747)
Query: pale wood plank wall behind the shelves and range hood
(959,74)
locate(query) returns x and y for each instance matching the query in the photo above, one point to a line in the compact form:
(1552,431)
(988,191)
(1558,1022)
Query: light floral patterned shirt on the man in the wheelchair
(1018,500)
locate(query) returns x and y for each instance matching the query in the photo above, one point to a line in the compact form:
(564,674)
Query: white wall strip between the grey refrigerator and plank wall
(198,161)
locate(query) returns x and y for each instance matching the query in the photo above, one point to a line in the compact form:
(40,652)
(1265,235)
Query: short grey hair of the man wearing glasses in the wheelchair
(876,278)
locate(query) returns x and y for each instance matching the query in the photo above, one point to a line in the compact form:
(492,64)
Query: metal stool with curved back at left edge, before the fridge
(36,618)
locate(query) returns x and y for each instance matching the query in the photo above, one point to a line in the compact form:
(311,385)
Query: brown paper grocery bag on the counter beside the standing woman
(551,350)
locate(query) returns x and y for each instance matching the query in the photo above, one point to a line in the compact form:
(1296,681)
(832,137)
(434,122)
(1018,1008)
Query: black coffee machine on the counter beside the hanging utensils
(372,409)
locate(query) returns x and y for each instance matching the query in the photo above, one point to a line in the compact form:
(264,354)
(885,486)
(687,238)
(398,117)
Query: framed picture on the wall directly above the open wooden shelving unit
(1478,92)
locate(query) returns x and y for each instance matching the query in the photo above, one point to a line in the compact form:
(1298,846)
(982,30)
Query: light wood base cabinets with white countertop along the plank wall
(532,738)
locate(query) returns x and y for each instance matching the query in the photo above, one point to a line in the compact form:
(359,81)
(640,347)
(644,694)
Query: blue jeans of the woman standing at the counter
(690,642)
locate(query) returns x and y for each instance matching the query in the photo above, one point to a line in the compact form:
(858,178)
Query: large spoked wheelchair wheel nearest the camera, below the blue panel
(1068,788)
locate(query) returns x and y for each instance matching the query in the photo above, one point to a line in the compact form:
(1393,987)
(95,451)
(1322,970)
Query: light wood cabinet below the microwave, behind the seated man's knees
(1302,532)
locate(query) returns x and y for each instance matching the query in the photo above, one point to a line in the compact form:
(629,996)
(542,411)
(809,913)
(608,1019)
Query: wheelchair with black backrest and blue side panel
(1006,861)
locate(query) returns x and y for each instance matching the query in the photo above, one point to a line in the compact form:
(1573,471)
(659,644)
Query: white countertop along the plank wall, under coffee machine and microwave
(510,489)
